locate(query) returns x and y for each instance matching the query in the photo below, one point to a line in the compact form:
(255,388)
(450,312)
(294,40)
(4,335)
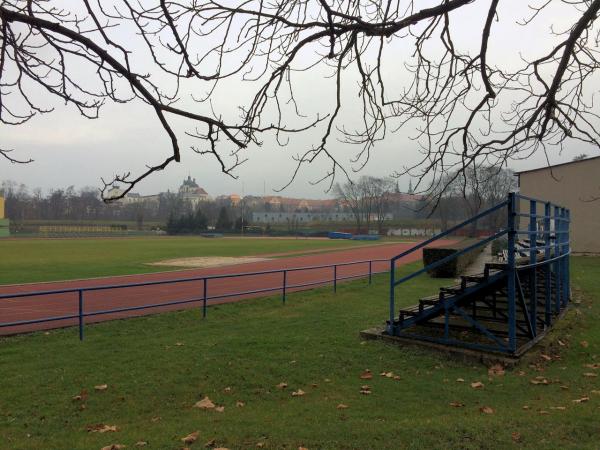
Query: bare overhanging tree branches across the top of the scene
(467,109)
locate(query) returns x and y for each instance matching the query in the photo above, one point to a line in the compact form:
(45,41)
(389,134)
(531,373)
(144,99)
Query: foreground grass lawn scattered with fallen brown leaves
(243,351)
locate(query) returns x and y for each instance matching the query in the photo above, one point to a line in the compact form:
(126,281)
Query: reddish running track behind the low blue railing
(32,308)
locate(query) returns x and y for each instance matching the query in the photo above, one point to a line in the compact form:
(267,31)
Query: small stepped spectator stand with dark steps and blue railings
(512,303)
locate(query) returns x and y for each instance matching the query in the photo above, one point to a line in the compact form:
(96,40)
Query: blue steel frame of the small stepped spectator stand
(551,259)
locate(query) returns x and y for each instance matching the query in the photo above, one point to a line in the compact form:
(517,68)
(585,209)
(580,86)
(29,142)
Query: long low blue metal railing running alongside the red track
(204,299)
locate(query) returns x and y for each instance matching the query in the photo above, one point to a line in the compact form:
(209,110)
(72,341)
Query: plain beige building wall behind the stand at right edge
(574,185)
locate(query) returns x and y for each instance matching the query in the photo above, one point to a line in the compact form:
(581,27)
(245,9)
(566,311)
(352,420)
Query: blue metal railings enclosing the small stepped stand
(551,225)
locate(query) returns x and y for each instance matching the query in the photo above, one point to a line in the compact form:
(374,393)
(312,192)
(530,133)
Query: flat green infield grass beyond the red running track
(32,260)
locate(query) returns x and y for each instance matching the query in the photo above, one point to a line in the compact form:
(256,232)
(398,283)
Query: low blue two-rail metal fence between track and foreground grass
(284,286)
